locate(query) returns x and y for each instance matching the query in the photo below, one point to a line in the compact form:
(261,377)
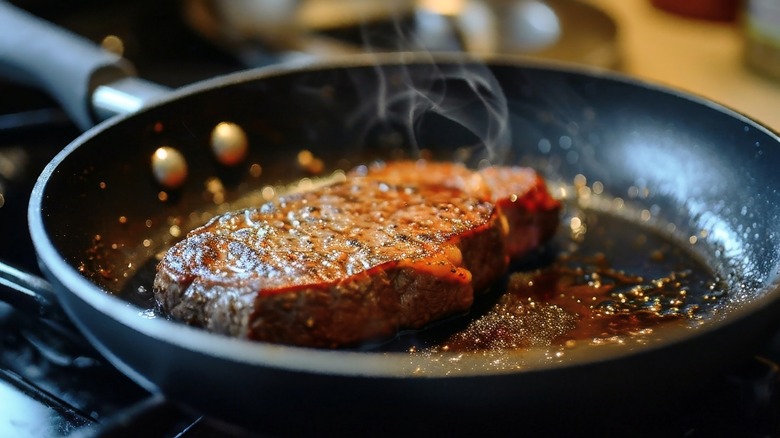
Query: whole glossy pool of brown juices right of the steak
(604,280)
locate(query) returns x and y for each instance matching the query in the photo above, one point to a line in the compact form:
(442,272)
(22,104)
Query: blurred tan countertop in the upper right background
(697,56)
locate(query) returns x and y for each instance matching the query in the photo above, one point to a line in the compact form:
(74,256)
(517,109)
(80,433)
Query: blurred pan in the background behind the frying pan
(260,31)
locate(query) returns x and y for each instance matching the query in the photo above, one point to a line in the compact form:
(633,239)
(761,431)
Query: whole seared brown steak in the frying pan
(393,246)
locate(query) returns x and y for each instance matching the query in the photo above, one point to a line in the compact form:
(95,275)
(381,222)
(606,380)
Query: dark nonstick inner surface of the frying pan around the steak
(655,174)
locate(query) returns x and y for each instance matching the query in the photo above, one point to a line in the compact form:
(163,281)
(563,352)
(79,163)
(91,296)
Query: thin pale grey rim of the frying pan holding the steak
(338,362)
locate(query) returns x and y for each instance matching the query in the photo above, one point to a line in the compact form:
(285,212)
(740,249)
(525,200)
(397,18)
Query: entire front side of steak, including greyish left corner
(371,306)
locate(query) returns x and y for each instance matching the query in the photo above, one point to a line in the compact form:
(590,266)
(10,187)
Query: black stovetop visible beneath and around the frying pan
(53,384)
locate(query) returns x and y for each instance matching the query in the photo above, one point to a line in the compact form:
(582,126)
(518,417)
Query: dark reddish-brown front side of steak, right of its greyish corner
(373,306)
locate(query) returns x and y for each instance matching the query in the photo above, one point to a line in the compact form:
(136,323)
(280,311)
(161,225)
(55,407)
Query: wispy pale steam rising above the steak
(461,100)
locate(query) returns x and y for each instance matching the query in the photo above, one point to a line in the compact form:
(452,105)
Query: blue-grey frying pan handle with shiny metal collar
(90,83)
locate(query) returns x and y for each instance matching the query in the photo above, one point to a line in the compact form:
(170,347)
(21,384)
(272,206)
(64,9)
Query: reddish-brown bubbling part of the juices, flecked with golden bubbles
(563,304)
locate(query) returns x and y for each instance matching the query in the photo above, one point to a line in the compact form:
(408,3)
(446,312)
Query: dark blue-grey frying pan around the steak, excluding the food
(98,217)
